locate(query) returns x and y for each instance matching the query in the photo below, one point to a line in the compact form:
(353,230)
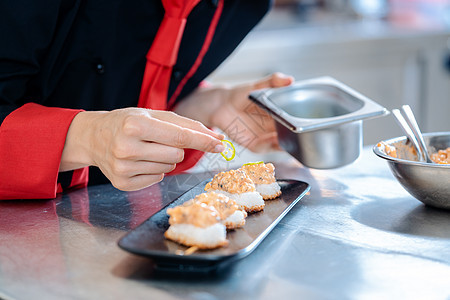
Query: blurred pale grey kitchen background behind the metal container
(394,51)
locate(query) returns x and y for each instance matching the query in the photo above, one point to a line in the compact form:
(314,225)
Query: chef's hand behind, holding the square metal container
(230,110)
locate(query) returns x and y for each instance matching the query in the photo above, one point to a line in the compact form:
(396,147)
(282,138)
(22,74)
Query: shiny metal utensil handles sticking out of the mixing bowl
(408,123)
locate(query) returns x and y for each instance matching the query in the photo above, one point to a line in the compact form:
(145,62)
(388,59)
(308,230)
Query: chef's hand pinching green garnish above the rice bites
(134,147)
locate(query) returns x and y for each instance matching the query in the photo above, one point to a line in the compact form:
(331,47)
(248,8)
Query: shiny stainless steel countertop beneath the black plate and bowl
(357,235)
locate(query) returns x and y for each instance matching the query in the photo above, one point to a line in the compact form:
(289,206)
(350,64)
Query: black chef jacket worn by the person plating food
(90,54)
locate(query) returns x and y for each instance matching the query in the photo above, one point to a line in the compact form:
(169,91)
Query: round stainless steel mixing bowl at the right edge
(428,183)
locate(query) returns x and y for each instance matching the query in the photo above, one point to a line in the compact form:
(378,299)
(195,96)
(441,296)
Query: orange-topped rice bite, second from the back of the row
(236,185)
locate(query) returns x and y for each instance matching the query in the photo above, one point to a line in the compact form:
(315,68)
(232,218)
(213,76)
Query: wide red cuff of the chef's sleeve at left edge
(31,143)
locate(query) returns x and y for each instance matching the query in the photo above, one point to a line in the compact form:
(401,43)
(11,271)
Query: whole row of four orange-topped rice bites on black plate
(202,222)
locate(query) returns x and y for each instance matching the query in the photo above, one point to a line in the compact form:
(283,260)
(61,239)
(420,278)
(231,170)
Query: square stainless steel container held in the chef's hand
(319,121)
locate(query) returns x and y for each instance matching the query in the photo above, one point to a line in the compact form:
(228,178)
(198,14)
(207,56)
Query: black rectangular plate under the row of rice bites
(148,238)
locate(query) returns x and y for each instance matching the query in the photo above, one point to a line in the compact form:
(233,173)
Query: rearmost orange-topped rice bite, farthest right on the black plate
(263,175)
